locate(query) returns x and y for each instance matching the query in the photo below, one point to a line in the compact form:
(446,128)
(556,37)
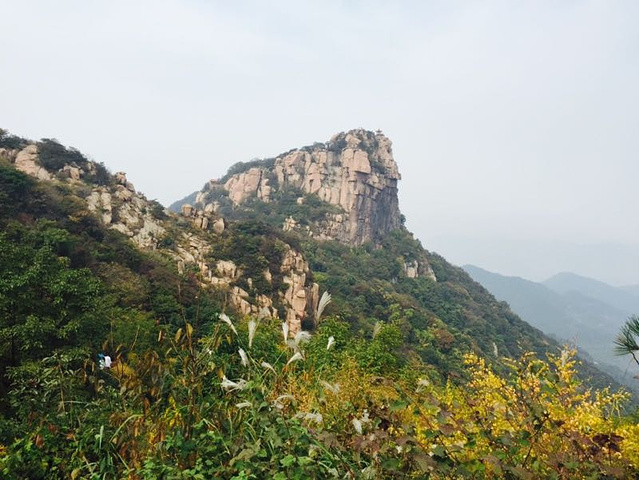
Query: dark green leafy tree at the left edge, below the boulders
(44,304)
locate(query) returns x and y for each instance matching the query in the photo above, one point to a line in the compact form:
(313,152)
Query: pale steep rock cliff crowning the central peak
(354,171)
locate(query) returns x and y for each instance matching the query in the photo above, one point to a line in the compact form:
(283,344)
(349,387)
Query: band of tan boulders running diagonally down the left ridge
(189,240)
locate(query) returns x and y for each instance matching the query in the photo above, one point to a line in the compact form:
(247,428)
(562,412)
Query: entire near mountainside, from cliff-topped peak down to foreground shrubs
(231,360)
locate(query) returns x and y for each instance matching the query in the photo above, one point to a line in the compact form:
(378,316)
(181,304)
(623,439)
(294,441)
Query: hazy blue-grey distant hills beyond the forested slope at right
(580,310)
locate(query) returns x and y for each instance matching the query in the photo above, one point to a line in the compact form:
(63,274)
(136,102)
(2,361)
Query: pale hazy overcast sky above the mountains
(515,125)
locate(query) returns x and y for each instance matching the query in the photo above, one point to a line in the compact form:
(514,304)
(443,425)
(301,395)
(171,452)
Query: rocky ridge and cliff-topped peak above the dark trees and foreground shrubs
(254,251)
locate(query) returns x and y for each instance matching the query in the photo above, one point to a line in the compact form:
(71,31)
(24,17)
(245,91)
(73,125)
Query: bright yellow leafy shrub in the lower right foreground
(533,422)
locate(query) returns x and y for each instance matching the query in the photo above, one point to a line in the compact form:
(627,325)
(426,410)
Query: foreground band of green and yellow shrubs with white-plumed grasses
(238,401)
